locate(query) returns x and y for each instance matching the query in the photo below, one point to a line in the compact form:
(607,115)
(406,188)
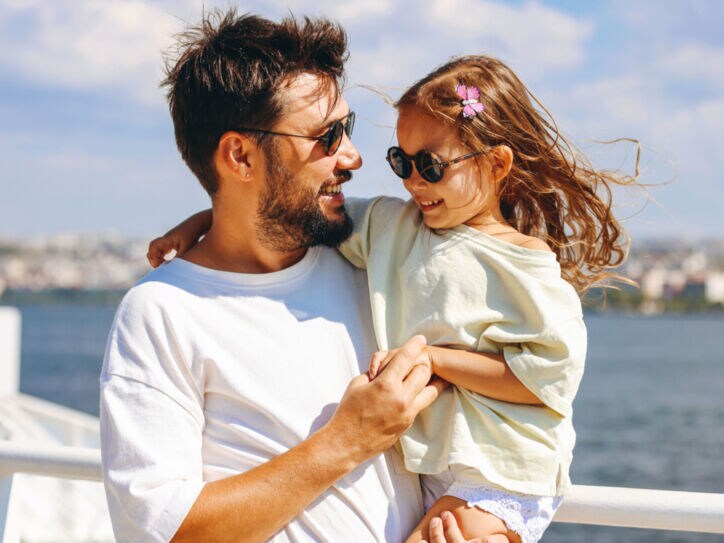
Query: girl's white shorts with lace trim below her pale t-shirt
(524,514)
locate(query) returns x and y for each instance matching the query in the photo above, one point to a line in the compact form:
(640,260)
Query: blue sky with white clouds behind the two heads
(86,140)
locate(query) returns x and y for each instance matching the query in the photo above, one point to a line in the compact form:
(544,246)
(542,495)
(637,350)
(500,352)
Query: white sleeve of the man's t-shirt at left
(151,427)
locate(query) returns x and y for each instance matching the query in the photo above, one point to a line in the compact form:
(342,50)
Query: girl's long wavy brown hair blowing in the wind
(552,191)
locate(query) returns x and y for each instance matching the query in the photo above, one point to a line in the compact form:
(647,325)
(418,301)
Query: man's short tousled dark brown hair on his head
(229,72)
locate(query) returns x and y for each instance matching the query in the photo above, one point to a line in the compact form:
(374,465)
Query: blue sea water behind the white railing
(649,414)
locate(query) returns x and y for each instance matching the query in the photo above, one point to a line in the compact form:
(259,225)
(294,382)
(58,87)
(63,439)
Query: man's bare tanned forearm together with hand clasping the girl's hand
(369,419)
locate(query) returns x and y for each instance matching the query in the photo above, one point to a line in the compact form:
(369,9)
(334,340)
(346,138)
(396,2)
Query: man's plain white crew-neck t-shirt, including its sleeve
(208,374)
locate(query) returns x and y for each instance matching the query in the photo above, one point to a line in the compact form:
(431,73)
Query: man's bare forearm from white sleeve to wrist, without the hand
(254,505)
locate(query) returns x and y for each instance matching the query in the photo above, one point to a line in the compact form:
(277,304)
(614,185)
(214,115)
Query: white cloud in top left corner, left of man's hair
(88,45)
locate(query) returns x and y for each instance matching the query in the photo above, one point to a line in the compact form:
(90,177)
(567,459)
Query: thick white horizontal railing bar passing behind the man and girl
(603,506)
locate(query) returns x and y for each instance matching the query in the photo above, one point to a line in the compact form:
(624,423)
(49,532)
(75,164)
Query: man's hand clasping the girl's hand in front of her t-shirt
(374,413)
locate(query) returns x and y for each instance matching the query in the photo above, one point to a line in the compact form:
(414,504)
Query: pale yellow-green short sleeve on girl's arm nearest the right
(547,350)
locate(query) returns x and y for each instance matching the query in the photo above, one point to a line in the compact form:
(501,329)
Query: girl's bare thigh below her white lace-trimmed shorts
(473,522)
